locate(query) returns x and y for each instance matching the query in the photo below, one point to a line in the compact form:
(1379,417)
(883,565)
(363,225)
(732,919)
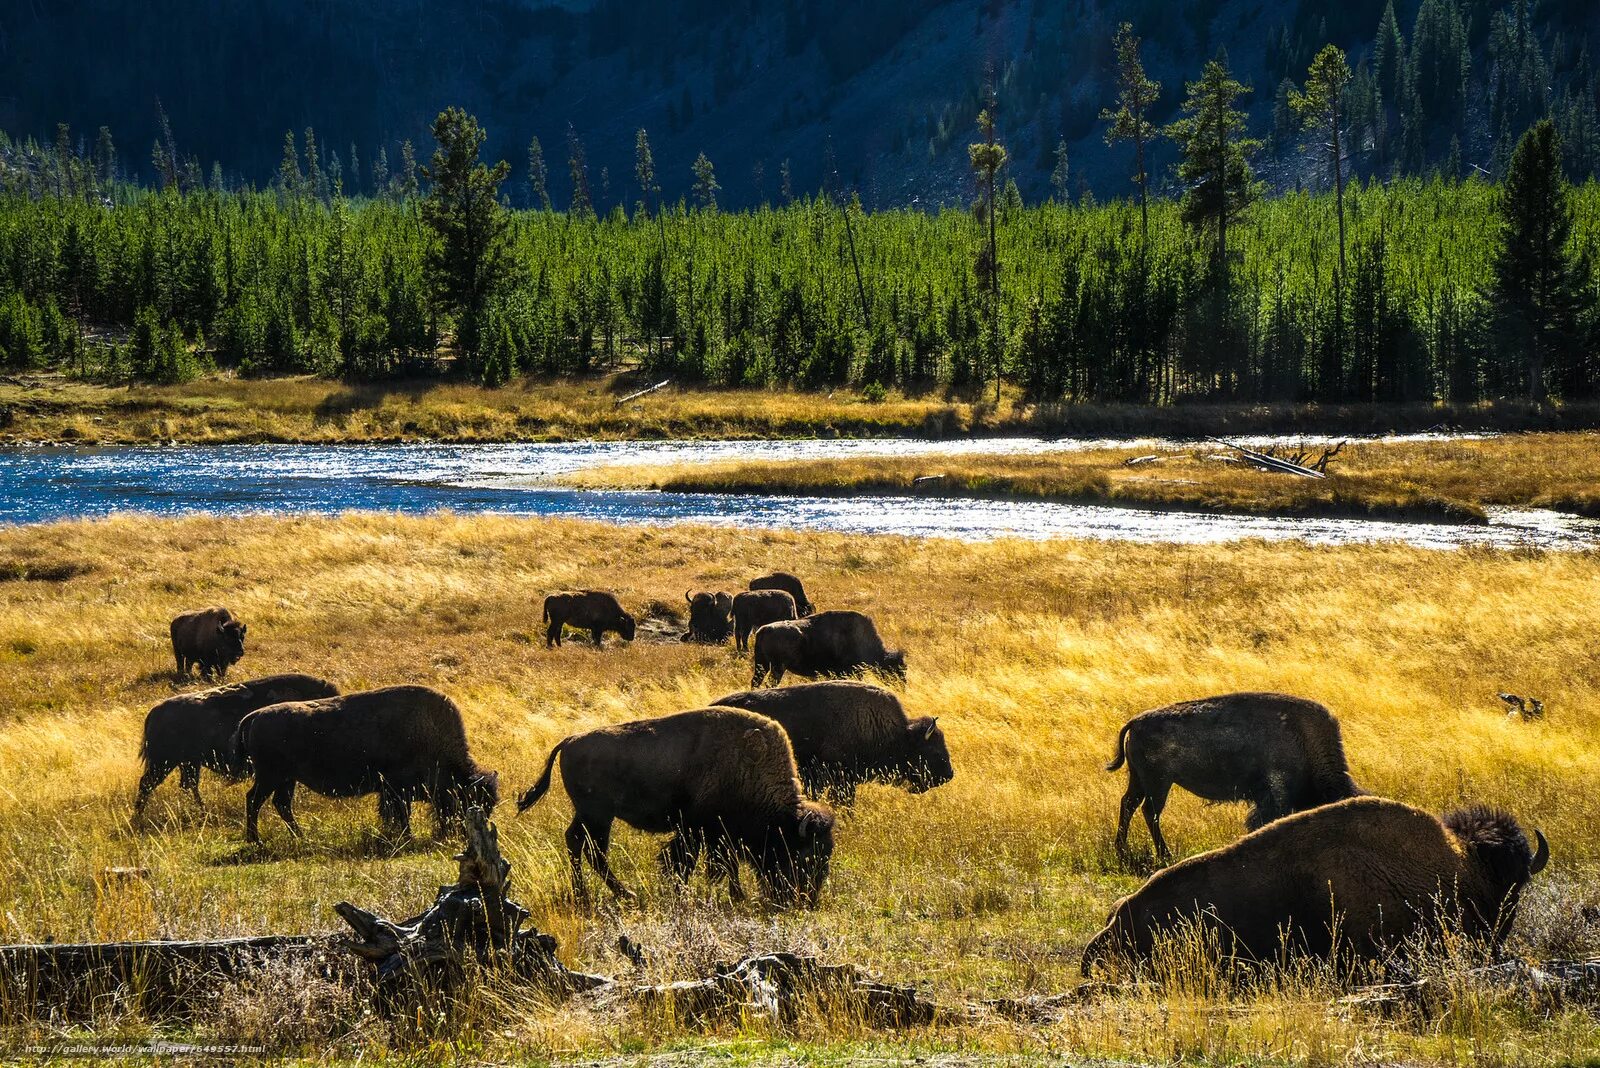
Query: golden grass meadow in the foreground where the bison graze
(1033,653)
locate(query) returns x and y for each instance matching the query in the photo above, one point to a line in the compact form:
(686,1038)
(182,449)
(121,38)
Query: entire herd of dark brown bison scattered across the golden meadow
(1324,871)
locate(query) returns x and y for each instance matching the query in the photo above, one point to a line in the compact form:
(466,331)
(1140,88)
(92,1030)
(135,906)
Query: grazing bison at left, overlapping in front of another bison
(404,744)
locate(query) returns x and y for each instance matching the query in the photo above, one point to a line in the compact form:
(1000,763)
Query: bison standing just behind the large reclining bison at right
(1281,754)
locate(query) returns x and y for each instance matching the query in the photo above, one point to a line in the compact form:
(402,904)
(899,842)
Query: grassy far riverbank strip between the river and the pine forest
(311,410)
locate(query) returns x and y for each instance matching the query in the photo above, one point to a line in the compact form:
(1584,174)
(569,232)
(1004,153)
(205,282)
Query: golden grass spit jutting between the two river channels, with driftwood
(1409,480)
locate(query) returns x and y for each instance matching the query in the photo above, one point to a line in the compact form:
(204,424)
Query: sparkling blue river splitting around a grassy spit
(44,484)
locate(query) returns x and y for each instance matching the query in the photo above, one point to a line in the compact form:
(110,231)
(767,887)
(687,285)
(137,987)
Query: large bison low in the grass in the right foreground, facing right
(1358,877)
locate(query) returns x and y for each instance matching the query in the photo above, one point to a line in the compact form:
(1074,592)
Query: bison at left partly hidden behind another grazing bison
(193,731)
